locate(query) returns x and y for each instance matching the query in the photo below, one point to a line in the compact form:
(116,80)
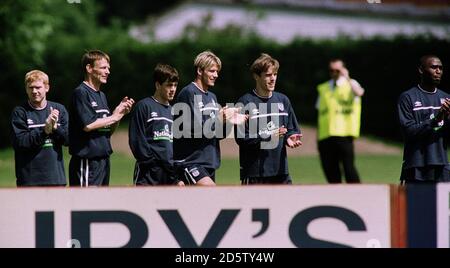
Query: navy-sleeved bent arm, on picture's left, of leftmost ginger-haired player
(22,136)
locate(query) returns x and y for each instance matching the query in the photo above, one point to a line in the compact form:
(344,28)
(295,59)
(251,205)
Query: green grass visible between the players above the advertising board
(303,170)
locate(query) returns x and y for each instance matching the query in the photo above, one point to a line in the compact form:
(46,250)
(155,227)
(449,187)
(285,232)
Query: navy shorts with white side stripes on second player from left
(86,172)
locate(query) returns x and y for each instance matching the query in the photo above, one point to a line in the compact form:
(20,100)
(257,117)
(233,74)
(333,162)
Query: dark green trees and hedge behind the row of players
(52,35)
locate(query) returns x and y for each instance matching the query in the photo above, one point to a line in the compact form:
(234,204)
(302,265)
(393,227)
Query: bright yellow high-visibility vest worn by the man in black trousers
(339,111)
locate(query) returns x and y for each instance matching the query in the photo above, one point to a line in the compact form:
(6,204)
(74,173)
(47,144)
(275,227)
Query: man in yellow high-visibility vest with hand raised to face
(339,115)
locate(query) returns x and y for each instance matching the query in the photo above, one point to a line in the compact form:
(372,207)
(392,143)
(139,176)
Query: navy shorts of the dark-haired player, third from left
(151,173)
